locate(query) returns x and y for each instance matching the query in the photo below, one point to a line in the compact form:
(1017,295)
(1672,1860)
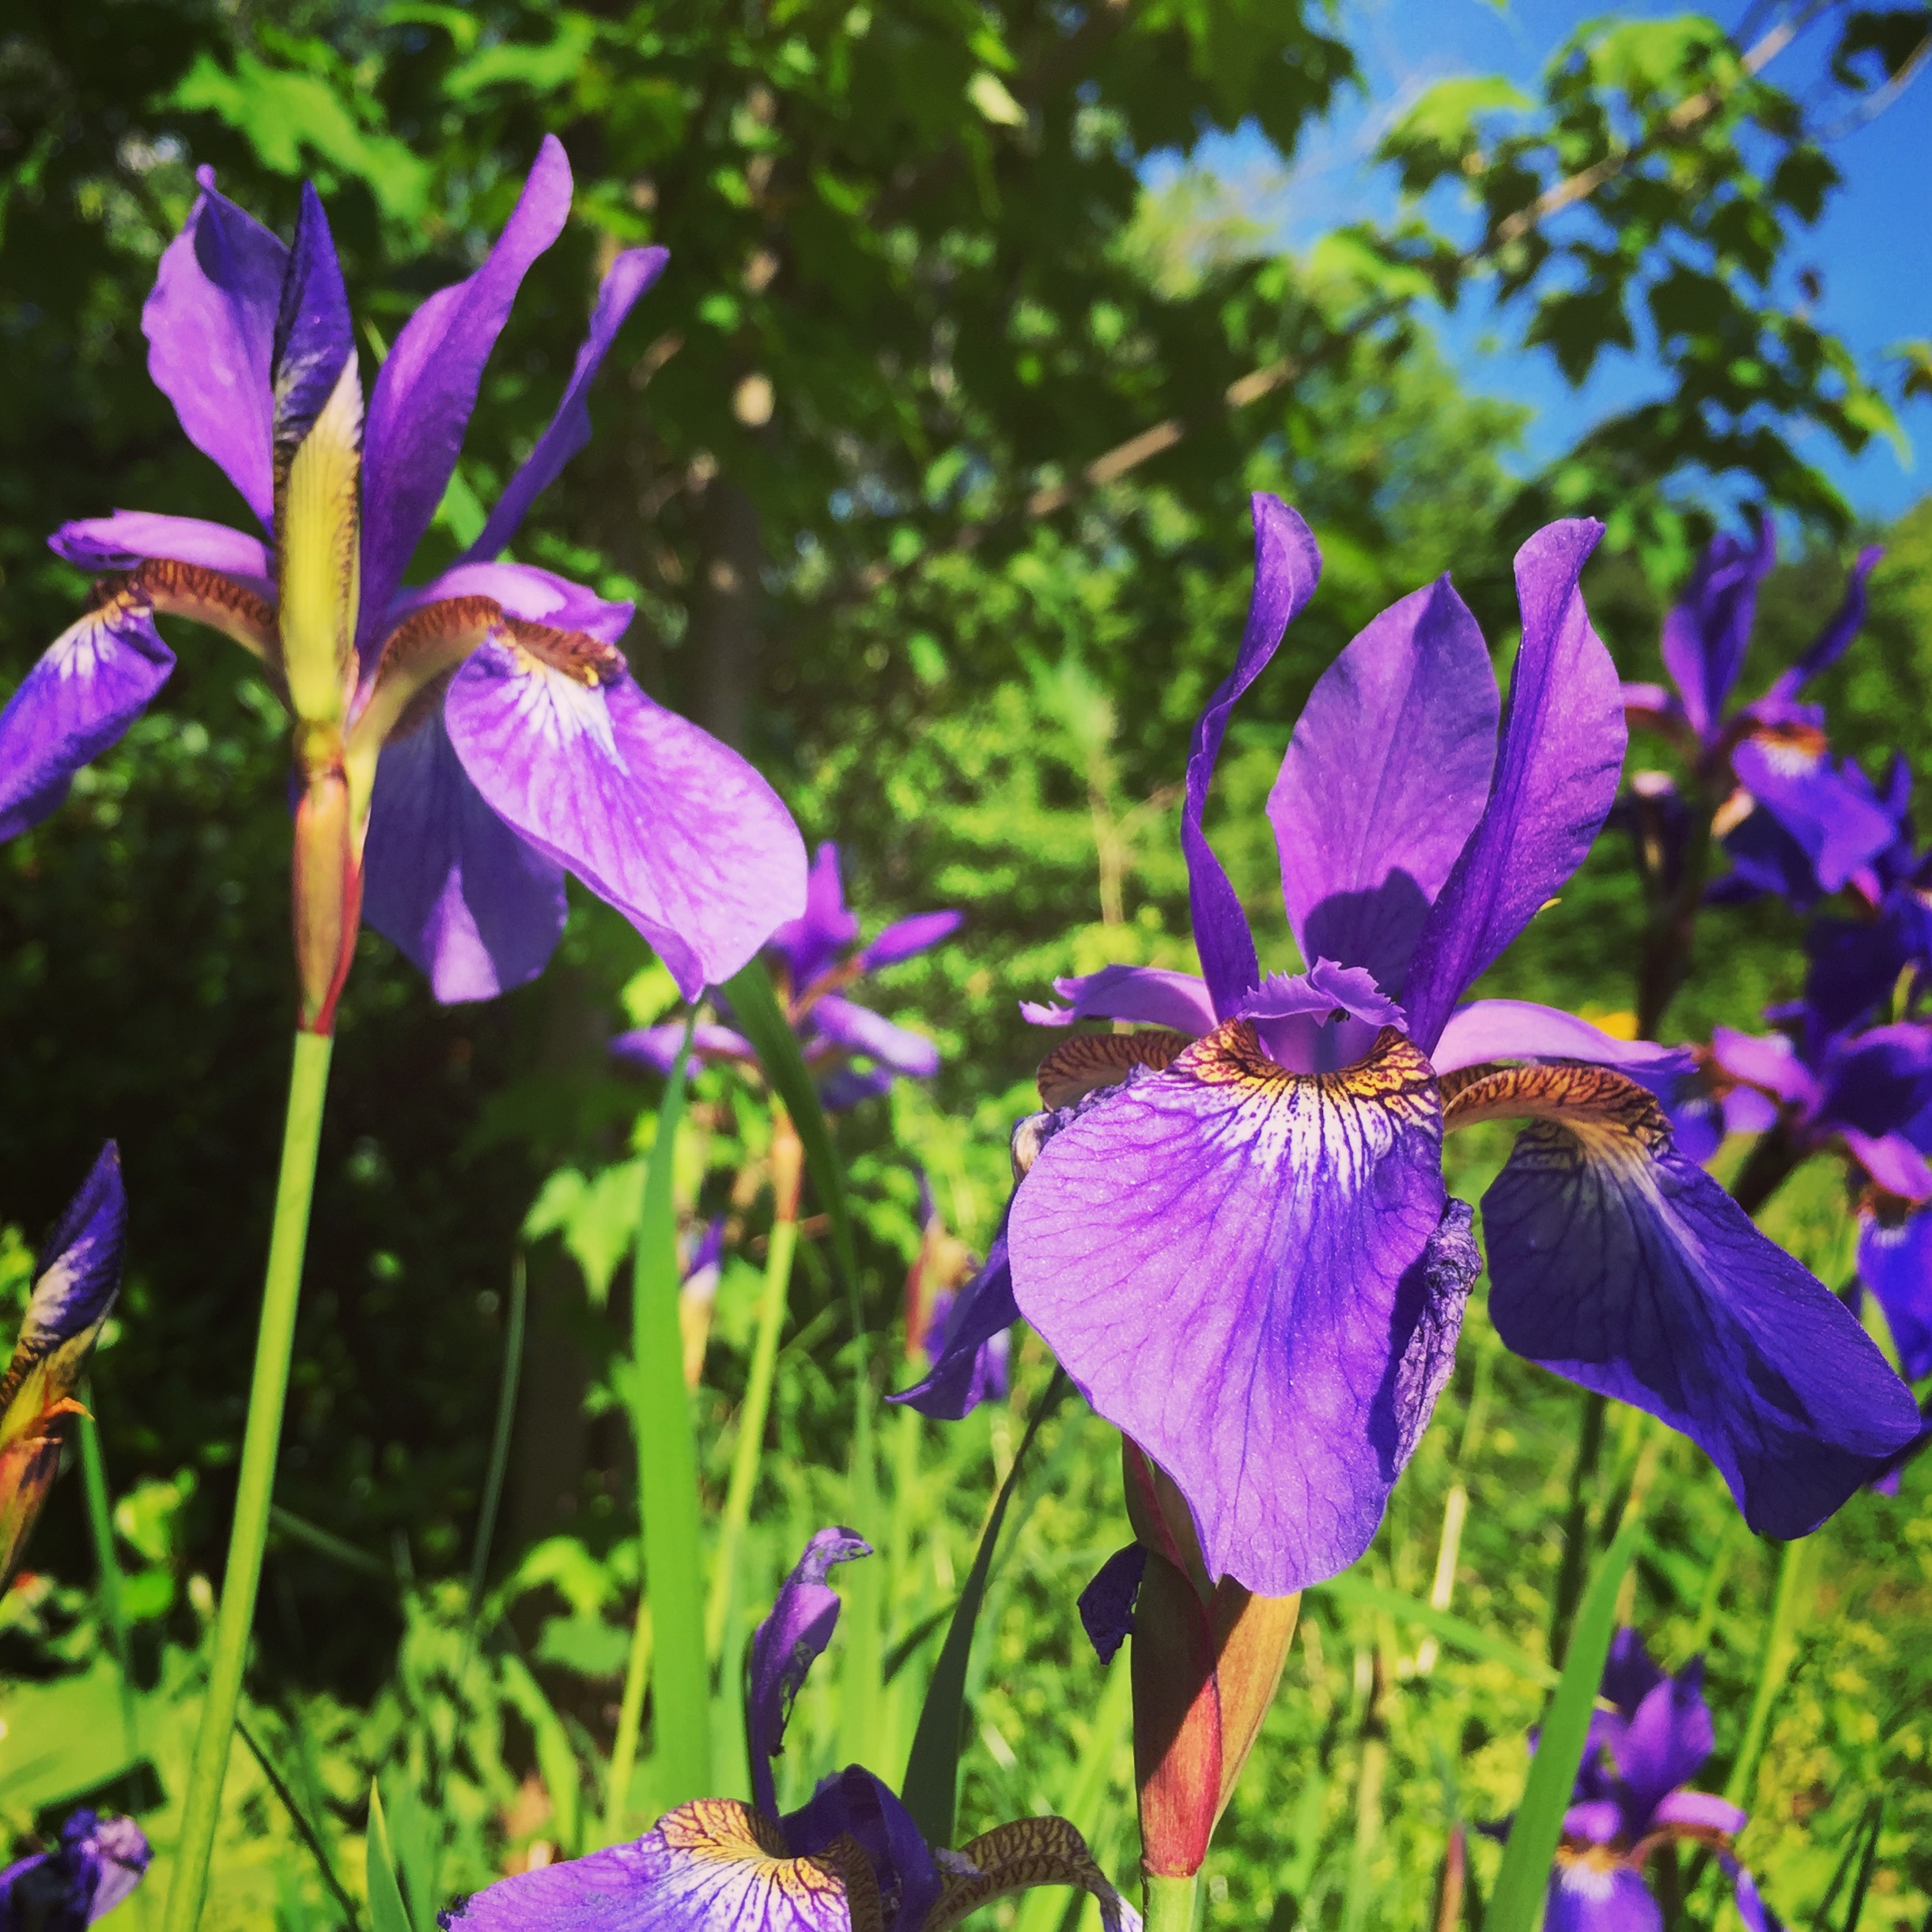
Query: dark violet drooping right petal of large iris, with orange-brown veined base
(1626,1268)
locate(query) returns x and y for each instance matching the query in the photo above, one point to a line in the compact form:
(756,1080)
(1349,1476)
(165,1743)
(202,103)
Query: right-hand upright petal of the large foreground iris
(1556,780)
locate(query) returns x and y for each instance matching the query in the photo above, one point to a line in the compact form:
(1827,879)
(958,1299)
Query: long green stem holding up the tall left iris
(308,1085)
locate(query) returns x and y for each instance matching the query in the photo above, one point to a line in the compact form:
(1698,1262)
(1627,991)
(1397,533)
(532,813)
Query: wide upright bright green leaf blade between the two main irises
(668,1502)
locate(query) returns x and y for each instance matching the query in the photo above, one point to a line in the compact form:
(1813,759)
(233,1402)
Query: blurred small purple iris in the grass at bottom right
(1632,1802)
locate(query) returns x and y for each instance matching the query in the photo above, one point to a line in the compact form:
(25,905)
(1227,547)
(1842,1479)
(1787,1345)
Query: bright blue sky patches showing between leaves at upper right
(1873,246)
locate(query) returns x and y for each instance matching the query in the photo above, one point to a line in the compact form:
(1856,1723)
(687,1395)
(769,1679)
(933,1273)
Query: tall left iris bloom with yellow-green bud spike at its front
(461,745)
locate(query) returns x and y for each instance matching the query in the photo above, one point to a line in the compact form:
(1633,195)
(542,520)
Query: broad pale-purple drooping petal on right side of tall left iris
(650,812)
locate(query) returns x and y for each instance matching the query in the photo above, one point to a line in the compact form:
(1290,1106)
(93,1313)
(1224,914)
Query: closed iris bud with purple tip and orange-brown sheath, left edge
(71,1301)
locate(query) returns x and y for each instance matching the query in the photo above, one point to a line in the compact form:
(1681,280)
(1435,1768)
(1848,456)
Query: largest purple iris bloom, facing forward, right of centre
(1236,1232)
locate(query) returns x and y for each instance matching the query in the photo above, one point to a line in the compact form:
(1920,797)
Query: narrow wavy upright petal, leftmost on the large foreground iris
(1288,565)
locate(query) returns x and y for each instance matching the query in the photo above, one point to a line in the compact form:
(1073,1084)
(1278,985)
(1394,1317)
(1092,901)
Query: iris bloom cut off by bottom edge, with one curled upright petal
(851,1858)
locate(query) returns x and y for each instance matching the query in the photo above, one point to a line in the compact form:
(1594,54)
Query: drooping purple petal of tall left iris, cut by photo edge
(92,683)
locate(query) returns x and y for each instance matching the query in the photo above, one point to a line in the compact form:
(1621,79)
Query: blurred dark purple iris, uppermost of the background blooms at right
(1796,820)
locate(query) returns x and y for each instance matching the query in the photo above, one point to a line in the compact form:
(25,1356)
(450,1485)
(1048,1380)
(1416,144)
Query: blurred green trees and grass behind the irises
(924,229)
